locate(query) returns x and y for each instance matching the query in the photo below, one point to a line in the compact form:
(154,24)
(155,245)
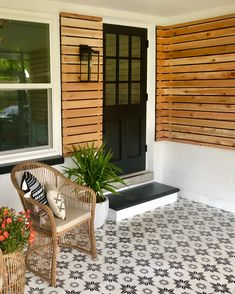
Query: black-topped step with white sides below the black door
(140,199)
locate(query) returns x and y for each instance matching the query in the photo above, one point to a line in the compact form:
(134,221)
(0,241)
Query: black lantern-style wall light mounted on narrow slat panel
(89,64)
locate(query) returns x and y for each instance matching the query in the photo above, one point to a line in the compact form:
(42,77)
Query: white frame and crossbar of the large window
(55,126)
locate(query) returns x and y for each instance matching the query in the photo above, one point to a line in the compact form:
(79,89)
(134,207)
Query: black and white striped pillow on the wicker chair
(30,184)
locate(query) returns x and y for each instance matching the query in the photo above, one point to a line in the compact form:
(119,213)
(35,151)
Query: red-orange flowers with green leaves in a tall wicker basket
(15,234)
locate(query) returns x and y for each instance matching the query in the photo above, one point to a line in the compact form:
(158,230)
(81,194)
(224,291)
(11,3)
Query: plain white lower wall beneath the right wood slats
(203,174)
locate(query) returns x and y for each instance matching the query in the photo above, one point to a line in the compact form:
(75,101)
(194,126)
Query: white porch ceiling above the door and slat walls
(160,8)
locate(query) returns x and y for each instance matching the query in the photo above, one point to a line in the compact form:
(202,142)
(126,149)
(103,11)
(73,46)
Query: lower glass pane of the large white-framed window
(23,119)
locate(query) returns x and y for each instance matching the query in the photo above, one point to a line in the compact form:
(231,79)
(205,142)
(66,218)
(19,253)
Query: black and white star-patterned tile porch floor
(183,248)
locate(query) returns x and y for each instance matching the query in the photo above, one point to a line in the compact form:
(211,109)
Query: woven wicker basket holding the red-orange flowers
(13,273)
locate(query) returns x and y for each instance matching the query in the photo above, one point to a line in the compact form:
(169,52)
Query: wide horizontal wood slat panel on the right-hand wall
(195,95)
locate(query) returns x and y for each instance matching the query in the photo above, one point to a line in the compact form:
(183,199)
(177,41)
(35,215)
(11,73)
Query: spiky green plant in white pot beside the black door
(93,168)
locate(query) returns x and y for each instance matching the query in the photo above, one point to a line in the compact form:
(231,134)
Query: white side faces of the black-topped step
(140,208)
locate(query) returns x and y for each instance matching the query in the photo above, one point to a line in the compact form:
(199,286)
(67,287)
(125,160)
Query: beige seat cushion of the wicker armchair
(74,216)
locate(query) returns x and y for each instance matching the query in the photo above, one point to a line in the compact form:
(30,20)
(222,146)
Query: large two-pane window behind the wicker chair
(27,96)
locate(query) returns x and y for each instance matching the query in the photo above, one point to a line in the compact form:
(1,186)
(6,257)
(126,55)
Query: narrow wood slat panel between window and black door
(81,101)
